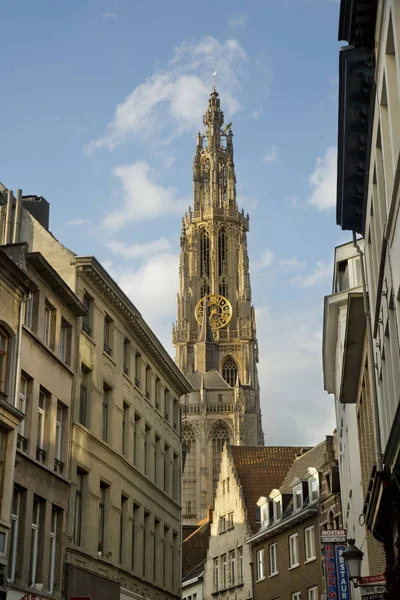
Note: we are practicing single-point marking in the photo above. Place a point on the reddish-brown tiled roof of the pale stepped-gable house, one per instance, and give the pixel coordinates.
(260, 470)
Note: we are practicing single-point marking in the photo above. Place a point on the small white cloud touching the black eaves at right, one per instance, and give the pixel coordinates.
(323, 181)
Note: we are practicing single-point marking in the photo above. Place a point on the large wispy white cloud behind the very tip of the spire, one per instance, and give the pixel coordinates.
(170, 101)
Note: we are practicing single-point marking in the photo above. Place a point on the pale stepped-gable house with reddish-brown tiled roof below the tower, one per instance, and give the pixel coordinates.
(246, 474)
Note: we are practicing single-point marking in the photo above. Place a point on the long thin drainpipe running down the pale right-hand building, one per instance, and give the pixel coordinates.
(371, 361)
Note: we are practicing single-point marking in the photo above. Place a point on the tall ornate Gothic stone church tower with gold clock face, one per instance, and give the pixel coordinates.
(215, 341)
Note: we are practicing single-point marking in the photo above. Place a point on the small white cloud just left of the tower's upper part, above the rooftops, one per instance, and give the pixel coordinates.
(142, 197)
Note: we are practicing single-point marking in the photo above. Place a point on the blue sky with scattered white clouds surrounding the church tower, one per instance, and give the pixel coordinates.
(100, 107)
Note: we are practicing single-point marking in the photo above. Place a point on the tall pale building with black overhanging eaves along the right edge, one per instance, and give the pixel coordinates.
(367, 204)
